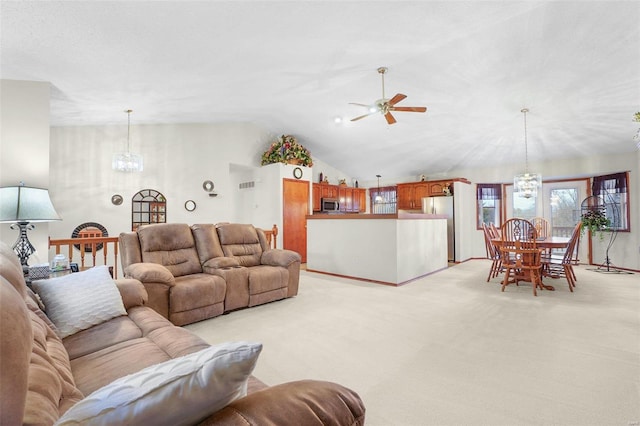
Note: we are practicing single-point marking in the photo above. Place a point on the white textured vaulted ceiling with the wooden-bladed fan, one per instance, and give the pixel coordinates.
(293, 67)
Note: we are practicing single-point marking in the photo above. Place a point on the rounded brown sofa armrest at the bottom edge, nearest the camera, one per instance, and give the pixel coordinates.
(305, 402)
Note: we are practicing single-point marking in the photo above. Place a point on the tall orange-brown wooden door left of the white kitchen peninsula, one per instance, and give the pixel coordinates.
(294, 221)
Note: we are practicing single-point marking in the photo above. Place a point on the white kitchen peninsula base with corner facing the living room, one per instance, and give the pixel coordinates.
(390, 249)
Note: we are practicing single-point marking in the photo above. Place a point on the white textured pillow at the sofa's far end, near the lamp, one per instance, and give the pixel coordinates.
(80, 300)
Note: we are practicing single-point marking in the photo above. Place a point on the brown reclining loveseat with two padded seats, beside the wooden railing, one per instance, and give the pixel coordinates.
(197, 272)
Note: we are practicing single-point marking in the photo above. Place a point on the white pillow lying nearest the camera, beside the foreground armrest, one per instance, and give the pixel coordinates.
(180, 391)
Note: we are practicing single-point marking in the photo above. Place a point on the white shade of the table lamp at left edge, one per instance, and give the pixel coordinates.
(26, 204)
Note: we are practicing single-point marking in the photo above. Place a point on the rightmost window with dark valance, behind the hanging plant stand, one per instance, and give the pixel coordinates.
(612, 192)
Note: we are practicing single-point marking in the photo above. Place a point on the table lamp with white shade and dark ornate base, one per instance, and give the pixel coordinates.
(22, 206)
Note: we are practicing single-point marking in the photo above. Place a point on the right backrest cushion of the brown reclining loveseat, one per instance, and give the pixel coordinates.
(241, 242)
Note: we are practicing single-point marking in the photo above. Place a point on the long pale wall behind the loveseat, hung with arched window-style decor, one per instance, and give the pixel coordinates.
(177, 160)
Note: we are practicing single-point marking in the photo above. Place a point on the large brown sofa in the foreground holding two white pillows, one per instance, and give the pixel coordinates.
(43, 376)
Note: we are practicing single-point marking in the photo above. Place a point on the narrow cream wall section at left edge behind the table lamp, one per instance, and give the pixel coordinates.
(24, 150)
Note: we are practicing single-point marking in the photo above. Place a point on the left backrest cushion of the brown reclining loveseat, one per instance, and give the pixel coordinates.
(171, 245)
